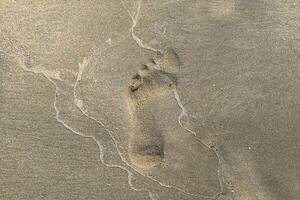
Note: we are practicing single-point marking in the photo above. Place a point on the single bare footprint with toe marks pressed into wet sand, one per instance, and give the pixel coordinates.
(154, 80)
